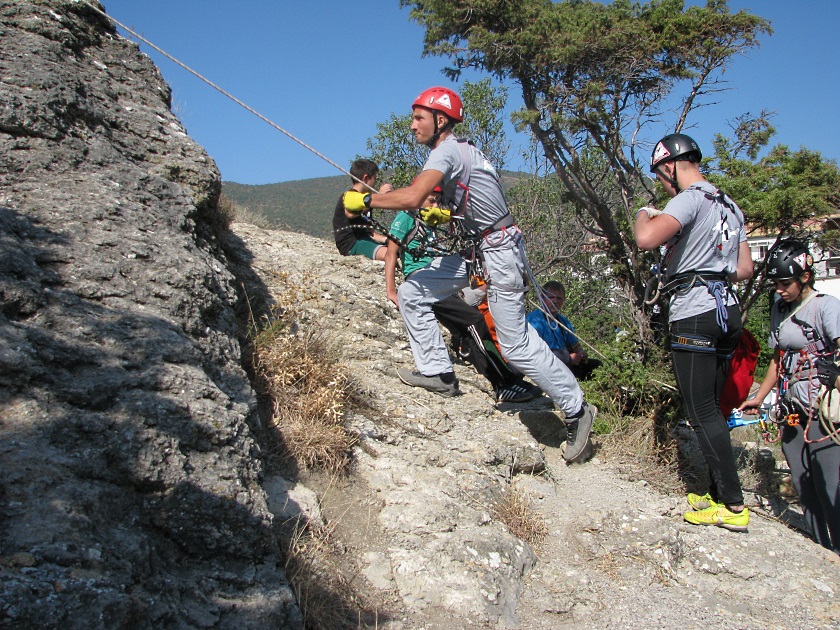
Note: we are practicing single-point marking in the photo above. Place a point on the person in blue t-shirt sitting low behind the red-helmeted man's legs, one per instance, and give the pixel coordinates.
(560, 335)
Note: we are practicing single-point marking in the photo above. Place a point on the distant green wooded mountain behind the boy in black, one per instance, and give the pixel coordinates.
(304, 205)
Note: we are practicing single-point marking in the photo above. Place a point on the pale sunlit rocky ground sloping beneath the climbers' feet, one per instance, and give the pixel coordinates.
(415, 517)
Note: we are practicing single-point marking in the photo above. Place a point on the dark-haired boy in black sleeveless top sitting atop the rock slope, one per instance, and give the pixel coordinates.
(352, 231)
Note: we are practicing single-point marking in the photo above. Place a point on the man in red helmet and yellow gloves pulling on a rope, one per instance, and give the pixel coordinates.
(472, 193)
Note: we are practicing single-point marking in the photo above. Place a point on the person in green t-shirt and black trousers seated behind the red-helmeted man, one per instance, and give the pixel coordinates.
(464, 322)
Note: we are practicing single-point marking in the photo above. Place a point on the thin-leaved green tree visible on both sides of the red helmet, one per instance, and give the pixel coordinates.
(396, 151)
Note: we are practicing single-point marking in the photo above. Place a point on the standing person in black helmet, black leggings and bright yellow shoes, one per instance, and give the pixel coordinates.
(707, 250)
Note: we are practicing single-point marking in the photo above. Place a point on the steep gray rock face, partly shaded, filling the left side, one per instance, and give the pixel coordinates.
(130, 492)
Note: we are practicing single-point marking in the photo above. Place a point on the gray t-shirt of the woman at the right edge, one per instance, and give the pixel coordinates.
(815, 327)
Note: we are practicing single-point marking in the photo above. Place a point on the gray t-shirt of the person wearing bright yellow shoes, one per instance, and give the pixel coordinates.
(708, 241)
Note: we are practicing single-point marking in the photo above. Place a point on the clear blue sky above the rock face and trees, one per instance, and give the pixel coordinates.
(328, 71)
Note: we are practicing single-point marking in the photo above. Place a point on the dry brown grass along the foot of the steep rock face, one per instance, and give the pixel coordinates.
(308, 385)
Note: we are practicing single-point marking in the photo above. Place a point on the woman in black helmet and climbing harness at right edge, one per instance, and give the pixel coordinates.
(804, 334)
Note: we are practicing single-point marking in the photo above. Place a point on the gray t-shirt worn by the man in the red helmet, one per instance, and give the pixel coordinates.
(486, 203)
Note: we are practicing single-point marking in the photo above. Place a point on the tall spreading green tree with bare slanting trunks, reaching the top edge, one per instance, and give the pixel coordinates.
(593, 77)
